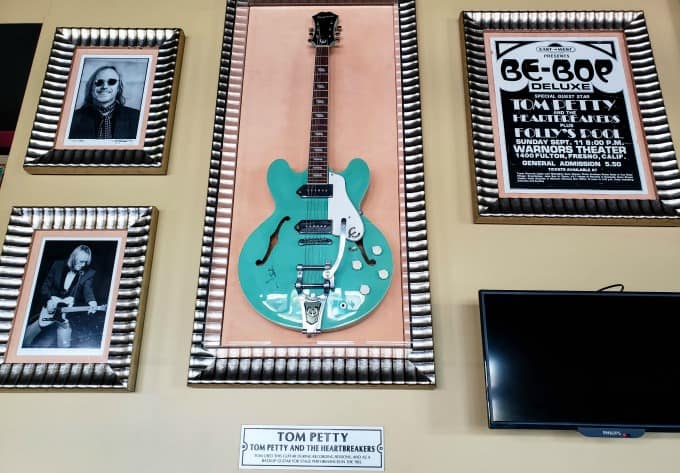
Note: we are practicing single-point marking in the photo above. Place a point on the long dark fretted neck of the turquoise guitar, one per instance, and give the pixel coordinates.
(317, 166)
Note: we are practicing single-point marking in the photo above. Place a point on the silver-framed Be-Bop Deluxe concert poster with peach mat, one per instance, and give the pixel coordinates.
(567, 120)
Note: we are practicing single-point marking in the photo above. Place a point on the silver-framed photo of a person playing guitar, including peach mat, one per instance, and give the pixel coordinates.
(74, 283)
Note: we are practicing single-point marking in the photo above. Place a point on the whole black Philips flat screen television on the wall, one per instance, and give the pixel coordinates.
(605, 363)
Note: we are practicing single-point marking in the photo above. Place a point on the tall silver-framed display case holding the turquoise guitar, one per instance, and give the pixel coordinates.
(314, 266)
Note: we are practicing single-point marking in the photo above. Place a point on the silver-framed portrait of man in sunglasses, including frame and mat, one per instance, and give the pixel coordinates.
(107, 102)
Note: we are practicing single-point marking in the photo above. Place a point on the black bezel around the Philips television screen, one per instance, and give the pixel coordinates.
(613, 430)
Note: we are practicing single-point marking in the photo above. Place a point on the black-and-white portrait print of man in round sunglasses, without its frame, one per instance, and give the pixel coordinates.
(108, 101)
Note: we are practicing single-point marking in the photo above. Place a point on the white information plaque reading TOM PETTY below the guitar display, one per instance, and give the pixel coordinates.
(273, 447)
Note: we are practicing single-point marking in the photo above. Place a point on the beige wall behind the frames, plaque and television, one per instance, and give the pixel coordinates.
(166, 427)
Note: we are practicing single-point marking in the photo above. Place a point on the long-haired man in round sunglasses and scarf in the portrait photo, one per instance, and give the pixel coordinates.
(104, 115)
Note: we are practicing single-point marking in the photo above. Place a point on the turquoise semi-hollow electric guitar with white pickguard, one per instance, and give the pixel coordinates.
(316, 263)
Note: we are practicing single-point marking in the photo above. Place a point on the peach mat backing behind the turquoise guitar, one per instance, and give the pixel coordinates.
(274, 122)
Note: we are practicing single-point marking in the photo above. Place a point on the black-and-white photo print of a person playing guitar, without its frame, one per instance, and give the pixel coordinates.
(70, 297)
